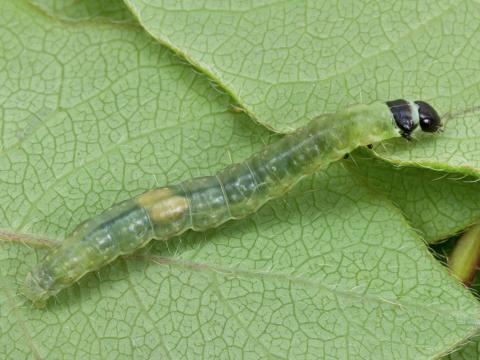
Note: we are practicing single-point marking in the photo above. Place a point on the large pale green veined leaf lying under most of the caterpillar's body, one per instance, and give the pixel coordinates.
(95, 113)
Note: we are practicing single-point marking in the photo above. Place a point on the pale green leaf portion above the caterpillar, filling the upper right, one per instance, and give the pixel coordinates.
(285, 62)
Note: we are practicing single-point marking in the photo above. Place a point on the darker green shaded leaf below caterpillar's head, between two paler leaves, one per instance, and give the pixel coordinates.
(436, 203)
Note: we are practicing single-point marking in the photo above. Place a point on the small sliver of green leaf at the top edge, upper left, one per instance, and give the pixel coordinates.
(112, 10)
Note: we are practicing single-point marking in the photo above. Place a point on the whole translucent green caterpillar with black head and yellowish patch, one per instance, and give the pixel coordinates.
(233, 193)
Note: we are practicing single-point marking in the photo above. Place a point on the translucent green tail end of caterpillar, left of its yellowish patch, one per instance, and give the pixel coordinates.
(120, 230)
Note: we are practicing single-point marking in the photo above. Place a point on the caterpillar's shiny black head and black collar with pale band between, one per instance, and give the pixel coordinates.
(408, 115)
